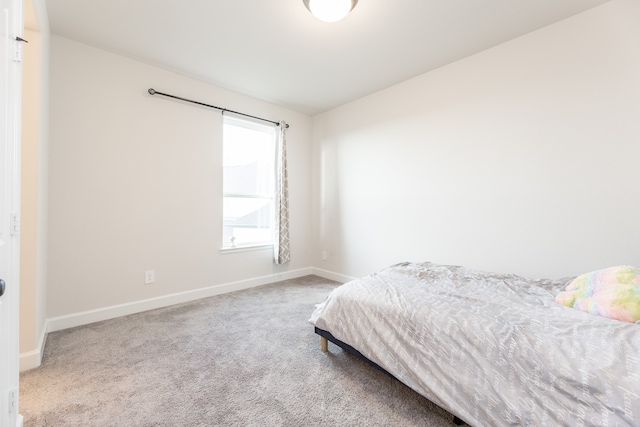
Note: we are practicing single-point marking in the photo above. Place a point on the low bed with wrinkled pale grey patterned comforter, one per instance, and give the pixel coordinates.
(492, 349)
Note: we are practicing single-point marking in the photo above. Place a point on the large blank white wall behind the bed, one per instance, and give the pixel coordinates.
(522, 159)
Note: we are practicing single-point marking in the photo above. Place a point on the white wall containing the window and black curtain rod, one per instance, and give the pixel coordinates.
(135, 183)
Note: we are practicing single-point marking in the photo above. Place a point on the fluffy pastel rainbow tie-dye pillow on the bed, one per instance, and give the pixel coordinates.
(613, 292)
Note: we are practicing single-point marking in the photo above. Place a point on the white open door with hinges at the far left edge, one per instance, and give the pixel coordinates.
(10, 96)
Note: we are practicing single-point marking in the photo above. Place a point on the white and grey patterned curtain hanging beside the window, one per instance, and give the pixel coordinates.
(281, 248)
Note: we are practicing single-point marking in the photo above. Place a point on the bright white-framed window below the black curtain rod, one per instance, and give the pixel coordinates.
(248, 183)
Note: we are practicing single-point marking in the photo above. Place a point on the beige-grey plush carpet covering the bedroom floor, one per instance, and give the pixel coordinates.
(248, 358)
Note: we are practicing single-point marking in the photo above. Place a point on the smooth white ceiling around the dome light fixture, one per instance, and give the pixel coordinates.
(277, 51)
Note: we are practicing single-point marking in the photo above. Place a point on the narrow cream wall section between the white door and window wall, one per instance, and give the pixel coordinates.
(33, 221)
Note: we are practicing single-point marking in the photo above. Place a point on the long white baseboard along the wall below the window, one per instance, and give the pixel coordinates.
(106, 313)
